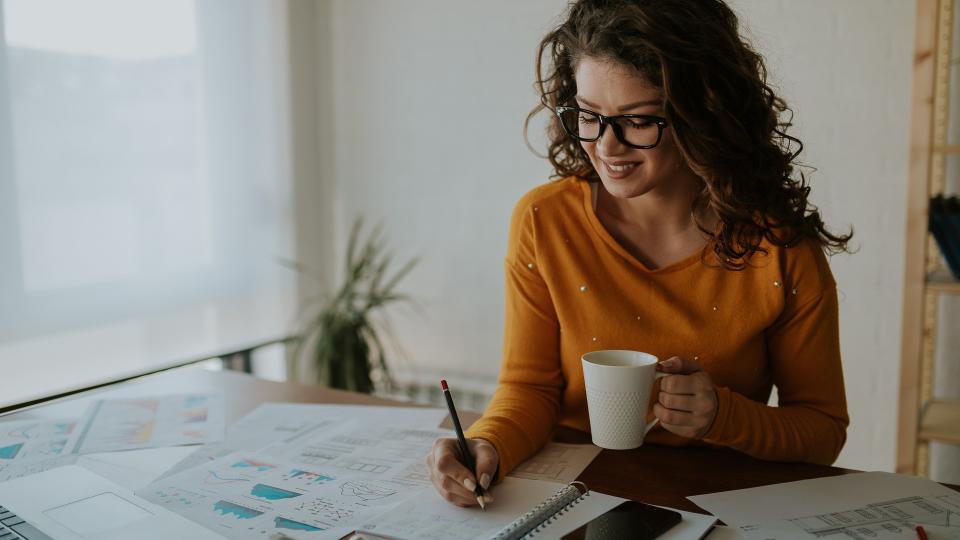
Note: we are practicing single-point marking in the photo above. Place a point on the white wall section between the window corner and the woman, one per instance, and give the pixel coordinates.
(429, 99)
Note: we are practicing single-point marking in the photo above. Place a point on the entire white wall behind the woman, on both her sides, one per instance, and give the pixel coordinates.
(429, 98)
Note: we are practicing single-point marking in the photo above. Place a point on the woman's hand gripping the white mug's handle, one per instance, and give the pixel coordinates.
(687, 404)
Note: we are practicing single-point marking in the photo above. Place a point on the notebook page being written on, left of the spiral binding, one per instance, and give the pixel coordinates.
(429, 517)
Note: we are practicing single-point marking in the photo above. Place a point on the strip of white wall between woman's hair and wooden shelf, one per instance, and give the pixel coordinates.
(846, 67)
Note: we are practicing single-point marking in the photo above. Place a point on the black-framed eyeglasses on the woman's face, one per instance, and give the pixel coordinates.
(642, 131)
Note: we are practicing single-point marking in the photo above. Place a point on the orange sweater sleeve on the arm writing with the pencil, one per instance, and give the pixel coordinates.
(523, 411)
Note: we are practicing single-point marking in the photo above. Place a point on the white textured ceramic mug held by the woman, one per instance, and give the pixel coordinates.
(619, 385)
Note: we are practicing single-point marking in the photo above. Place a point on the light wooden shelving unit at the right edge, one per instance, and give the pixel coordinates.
(922, 417)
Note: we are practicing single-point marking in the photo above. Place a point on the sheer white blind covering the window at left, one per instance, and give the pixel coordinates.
(144, 186)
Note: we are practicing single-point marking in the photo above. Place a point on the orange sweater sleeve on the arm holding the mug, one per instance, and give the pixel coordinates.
(810, 423)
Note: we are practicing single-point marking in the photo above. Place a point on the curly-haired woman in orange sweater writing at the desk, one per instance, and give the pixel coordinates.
(677, 227)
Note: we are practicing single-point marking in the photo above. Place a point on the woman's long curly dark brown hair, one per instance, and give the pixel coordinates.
(726, 119)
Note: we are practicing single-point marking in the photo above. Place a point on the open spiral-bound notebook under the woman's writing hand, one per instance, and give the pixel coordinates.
(522, 509)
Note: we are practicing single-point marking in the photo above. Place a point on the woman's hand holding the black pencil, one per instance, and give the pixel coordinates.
(453, 480)
